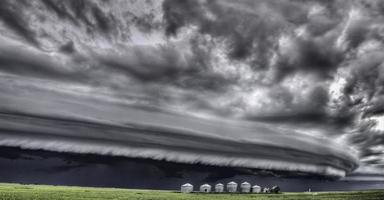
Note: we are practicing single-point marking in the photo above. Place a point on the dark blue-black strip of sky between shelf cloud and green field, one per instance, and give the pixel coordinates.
(92, 170)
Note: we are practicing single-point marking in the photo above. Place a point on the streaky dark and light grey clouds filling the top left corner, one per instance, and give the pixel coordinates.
(91, 18)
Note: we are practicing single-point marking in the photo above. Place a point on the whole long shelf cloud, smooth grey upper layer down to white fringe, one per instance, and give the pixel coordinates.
(80, 124)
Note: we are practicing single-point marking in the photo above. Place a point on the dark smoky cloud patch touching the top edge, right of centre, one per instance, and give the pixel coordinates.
(241, 29)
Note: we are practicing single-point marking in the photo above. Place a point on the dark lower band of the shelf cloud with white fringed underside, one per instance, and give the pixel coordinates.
(181, 145)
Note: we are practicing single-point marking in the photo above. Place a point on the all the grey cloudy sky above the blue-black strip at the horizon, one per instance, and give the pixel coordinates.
(290, 86)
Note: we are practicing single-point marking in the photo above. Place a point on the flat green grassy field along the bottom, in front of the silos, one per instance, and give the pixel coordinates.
(40, 192)
